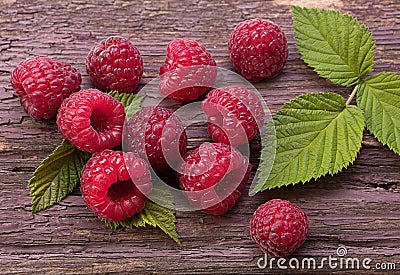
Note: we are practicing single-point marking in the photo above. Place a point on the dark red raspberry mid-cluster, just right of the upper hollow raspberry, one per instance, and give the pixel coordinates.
(157, 135)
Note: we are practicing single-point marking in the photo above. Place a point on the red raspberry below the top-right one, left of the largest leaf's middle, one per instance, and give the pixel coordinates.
(234, 115)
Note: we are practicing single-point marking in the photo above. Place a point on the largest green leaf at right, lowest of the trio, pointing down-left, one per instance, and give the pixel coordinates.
(316, 134)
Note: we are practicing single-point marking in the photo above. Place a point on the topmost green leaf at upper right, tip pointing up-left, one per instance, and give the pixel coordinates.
(334, 44)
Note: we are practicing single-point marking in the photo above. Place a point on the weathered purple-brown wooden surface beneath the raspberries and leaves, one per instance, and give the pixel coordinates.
(358, 208)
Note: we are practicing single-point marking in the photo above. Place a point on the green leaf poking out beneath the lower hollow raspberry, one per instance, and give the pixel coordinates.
(154, 215)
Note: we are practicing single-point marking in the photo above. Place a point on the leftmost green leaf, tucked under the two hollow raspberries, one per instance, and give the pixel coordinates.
(56, 176)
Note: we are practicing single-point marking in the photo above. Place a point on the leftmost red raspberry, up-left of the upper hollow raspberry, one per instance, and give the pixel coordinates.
(43, 83)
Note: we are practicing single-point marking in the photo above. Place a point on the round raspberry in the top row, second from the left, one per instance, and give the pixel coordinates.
(115, 64)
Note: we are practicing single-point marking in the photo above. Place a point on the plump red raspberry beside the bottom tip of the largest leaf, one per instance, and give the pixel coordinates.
(214, 177)
